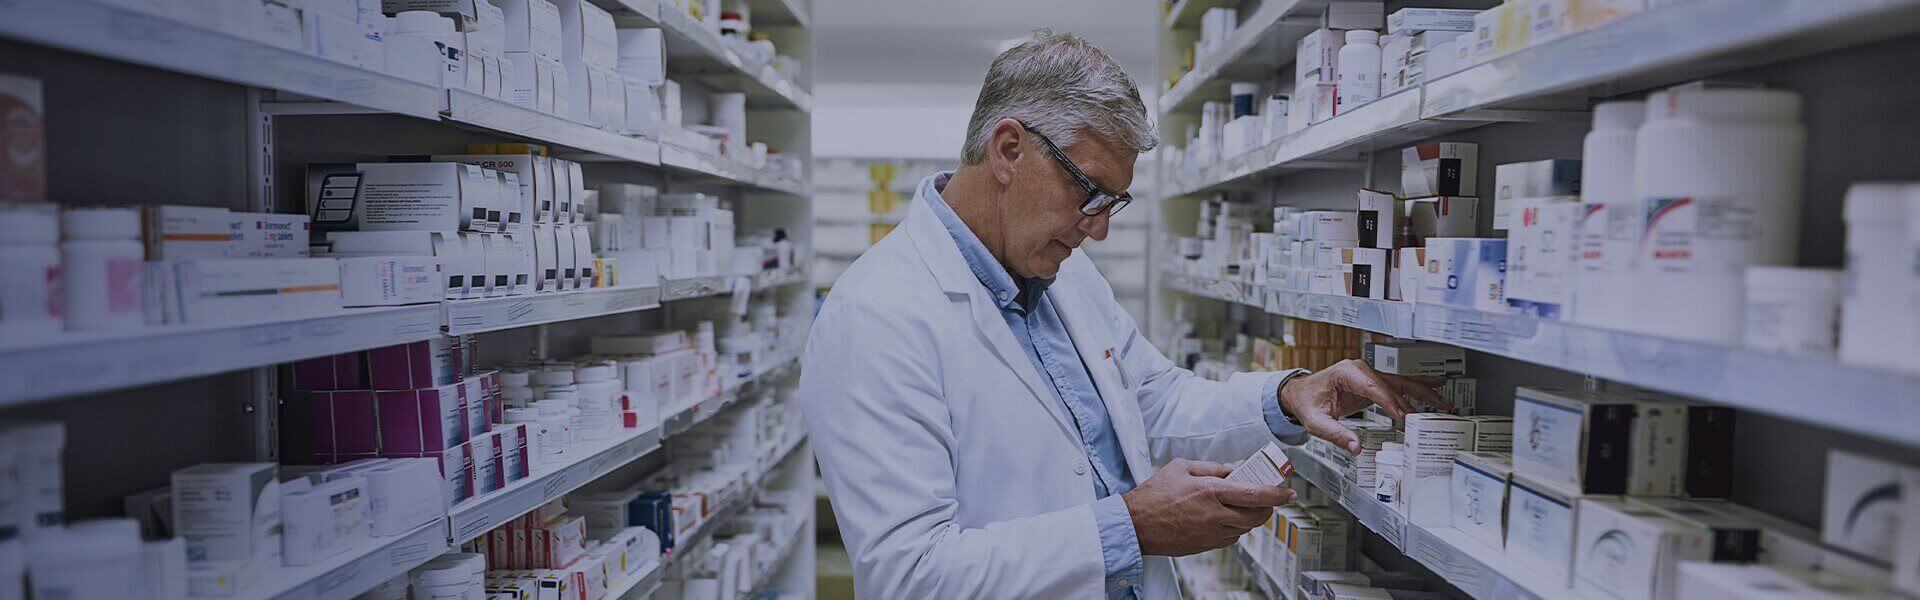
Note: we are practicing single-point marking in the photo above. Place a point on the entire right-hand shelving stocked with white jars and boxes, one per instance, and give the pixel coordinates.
(1662, 253)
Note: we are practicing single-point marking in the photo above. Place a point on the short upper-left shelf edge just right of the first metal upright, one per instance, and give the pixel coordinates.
(502, 116)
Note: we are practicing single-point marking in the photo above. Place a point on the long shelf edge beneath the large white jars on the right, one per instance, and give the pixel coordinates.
(1854, 399)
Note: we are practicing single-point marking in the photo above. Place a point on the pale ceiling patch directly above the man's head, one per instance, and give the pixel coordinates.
(921, 41)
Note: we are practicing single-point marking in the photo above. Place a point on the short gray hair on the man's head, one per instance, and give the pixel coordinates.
(1061, 86)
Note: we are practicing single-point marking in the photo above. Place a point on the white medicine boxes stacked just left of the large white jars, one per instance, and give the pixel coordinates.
(1537, 203)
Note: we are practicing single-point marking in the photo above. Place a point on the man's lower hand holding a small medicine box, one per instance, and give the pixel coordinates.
(1189, 507)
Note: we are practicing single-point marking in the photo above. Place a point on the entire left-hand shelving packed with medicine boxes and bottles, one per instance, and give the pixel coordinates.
(350, 299)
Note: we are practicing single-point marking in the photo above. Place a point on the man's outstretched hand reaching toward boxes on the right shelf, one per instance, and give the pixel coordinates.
(1322, 399)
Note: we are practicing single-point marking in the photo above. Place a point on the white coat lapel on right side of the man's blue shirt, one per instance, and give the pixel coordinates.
(1095, 347)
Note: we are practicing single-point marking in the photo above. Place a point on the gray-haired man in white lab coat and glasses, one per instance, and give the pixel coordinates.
(988, 418)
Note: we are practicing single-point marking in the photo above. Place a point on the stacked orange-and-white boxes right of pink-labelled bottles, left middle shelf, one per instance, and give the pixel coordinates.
(218, 266)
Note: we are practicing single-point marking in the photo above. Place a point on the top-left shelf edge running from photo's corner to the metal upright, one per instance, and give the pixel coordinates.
(164, 43)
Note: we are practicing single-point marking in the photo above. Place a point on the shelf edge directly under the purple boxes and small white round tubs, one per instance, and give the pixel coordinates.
(487, 512)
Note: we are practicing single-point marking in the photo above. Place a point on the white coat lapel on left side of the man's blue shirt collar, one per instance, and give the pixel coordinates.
(942, 255)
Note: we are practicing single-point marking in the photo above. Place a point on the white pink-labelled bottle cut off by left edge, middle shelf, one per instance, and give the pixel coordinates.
(30, 270)
